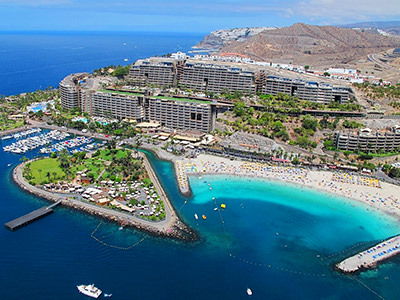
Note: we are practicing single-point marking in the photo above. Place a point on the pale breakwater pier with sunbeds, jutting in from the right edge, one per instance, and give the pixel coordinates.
(370, 257)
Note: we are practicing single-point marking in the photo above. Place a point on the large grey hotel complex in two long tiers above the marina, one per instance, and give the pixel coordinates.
(181, 112)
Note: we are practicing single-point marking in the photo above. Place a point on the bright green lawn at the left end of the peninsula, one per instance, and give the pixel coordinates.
(50, 165)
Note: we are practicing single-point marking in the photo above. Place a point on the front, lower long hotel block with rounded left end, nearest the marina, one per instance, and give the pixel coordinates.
(174, 113)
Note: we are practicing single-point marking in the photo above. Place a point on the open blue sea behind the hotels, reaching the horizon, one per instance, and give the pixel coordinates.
(36, 60)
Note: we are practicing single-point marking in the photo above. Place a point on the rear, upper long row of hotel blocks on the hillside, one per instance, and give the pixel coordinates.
(222, 77)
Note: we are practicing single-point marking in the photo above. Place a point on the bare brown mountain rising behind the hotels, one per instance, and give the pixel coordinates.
(310, 44)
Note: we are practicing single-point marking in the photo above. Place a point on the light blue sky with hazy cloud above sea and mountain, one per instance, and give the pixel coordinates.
(188, 15)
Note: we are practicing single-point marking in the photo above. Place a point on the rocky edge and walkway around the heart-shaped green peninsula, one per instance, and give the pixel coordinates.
(174, 228)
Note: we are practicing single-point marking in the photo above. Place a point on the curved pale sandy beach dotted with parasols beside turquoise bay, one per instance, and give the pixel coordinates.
(376, 194)
